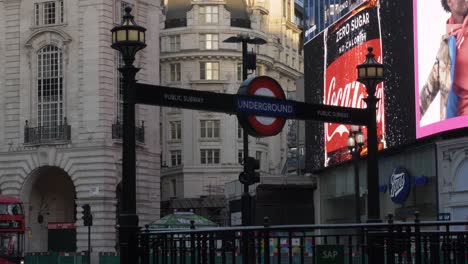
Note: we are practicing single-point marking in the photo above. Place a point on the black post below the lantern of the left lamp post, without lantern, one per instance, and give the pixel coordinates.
(128, 219)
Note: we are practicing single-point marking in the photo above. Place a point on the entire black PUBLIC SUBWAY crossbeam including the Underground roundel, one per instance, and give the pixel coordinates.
(260, 105)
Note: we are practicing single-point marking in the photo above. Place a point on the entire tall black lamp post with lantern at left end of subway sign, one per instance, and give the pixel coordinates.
(128, 39)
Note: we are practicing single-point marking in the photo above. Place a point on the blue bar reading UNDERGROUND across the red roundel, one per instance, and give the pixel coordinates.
(265, 106)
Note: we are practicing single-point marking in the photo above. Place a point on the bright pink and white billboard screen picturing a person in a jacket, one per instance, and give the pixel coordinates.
(441, 66)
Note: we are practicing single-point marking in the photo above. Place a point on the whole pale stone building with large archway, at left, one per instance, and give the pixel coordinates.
(60, 116)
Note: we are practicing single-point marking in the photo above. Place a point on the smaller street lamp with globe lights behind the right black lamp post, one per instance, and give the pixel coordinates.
(355, 141)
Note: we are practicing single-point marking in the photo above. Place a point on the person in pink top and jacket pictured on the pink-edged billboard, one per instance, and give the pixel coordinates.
(449, 74)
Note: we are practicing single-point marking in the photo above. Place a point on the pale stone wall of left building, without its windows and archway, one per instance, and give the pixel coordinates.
(92, 159)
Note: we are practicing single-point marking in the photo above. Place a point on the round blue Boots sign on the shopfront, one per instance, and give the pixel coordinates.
(399, 185)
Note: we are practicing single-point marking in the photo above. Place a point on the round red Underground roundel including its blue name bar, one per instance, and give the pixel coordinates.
(258, 93)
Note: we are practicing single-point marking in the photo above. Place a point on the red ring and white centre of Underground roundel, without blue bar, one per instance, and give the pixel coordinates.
(261, 126)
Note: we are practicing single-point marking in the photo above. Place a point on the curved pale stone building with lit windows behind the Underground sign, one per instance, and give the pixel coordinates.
(201, 151)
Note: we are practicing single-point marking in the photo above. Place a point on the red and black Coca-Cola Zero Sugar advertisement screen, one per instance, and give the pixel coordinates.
(346, 46)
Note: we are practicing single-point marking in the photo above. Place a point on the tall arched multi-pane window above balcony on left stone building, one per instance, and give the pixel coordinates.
(50, 90)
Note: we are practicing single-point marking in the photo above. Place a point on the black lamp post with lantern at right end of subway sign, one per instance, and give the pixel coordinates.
(371, 73)
